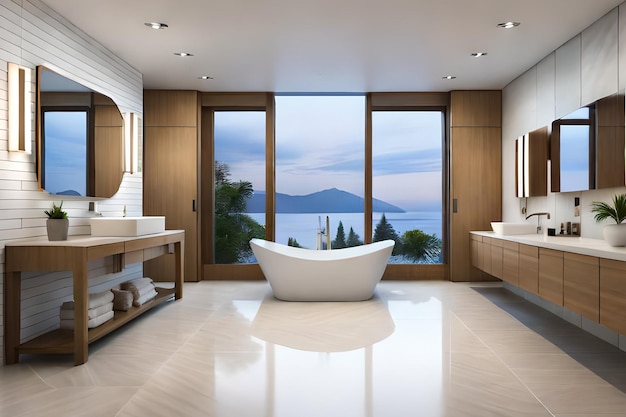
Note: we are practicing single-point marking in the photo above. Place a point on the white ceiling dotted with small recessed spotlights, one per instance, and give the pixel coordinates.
(331, 45)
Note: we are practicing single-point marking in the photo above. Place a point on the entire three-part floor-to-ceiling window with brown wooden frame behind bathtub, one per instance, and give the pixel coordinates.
(319, 170)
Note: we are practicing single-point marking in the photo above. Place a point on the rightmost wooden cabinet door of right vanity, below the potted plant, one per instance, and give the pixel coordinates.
(613, 295)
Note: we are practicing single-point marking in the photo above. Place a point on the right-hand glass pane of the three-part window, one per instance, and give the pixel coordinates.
(407, 183)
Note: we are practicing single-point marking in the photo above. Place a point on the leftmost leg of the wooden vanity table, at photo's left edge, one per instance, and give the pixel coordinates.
(12, 316)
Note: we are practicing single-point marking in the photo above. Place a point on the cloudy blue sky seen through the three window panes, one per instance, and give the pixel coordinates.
(320, 145)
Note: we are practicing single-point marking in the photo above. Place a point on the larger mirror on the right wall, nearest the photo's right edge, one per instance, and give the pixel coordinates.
(587, 147)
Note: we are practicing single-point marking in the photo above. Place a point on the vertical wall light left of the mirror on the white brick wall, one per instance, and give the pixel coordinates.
(19, 108)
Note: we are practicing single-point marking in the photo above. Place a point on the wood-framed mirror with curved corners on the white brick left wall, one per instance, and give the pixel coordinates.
(80, 138)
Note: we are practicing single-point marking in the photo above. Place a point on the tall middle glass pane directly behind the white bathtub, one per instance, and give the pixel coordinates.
(320, 161)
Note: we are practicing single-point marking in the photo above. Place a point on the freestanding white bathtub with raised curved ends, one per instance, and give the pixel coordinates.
(297, 274)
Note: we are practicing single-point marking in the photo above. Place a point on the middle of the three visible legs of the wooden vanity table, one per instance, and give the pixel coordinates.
(81, 304)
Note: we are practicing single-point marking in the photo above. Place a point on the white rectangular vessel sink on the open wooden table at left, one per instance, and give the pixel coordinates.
(127, 226)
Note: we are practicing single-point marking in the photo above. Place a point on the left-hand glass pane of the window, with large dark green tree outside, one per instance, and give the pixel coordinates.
(239, 196)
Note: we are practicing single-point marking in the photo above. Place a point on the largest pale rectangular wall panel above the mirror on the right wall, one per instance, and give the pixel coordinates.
(599, 60)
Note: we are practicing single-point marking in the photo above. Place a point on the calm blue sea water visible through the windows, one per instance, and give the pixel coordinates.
(304, 226)
